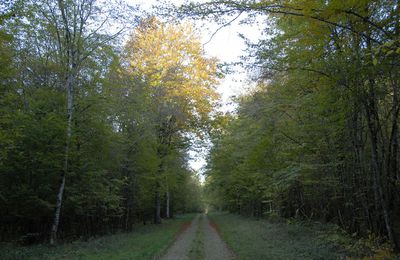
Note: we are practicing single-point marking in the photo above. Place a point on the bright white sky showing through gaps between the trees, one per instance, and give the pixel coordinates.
(227, 46)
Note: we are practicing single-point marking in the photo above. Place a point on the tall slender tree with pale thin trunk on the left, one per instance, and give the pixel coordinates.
(75, 42)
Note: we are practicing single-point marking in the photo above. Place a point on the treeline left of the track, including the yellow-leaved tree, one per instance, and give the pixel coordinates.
(94, 134)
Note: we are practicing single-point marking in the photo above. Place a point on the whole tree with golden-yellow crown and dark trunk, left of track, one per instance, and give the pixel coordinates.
(168, 59)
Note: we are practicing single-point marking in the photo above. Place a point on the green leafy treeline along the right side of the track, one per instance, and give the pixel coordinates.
(319, 136)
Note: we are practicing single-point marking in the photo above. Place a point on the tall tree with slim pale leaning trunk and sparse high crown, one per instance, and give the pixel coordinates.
(73, 31)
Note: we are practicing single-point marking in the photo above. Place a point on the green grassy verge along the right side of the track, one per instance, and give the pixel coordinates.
(260, 239)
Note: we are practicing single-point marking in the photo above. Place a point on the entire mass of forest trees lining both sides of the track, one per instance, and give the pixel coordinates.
(100, 104)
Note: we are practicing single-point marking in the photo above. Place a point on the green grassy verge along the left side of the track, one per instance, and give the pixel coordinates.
(146, 242)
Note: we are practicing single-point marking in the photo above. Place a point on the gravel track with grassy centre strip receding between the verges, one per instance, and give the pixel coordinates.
(199, 240)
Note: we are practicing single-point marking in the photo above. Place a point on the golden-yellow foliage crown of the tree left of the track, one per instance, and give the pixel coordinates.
(169, 59)
